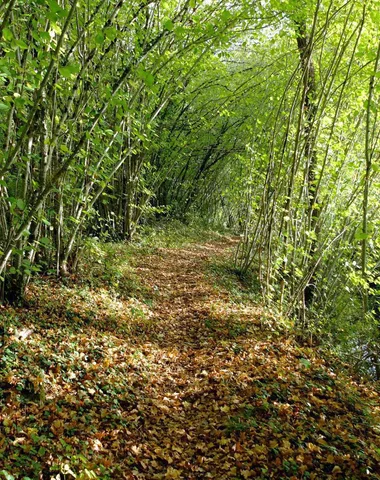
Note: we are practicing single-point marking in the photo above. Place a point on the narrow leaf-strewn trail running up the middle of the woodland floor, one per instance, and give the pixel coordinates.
(195, 367)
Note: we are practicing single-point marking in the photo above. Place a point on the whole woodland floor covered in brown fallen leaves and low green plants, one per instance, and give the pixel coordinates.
(177, 375)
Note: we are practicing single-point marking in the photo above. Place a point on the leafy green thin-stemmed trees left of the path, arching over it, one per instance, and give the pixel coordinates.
(84, 101)
